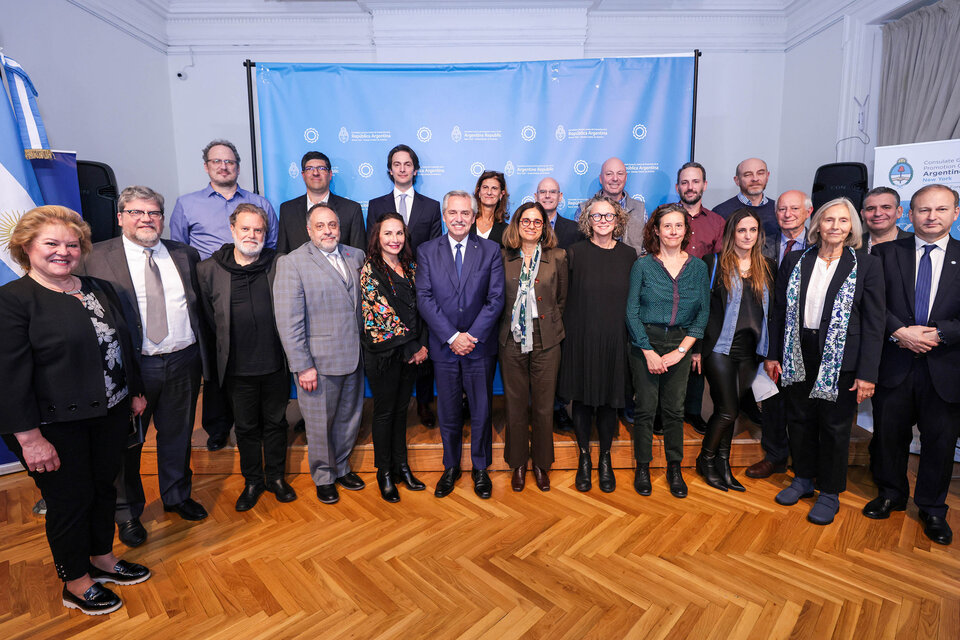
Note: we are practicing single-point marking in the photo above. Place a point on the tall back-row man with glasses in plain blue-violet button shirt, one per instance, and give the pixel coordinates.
(202, 218)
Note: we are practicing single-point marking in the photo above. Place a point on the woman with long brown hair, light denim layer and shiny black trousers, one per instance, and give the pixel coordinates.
(735, 340)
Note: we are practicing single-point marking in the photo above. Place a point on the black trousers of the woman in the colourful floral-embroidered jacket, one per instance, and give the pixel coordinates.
(391, 382)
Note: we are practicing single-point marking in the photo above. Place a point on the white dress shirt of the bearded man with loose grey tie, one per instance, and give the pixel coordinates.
(179, 332)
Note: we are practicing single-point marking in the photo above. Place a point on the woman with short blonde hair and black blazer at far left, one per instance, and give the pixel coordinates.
(70, 383)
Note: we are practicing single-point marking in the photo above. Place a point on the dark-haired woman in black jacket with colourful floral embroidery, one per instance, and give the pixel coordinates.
(394, 340)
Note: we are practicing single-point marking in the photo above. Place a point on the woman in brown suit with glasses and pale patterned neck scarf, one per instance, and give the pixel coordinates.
(530, 334)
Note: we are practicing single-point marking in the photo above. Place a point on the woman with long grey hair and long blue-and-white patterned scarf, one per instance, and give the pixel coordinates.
(826, 332)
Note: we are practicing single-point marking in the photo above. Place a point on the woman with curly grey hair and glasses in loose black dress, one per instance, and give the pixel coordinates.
(594, 367)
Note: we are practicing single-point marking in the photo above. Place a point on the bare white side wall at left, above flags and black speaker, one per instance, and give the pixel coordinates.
(102, 93)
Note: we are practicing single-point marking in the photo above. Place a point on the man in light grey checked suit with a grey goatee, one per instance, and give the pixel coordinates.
(317, 308)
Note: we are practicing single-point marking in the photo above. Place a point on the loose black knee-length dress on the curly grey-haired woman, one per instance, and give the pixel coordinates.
(594, 367)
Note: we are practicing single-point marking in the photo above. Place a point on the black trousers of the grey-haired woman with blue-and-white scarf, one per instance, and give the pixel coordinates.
(819, 430)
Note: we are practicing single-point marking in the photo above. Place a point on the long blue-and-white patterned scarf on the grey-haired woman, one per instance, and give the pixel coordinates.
(825, 387)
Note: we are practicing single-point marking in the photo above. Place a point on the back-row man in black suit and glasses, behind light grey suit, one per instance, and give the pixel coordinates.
(316, 171)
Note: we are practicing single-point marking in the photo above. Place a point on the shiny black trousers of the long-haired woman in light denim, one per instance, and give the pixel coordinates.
(730, 377)
